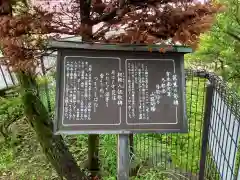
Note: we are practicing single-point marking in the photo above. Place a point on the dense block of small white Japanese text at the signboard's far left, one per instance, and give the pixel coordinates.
(78, 101)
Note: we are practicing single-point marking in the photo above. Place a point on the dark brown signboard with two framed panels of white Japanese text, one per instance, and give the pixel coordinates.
(100, 91)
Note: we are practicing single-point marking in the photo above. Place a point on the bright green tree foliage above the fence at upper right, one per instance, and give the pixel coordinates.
(219, 48)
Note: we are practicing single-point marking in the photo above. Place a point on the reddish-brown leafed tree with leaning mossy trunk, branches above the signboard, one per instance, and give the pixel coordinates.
(25, 29)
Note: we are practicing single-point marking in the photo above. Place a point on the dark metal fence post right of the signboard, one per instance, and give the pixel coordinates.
(206, 124)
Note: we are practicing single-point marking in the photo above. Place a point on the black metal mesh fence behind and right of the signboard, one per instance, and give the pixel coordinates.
(209, 151)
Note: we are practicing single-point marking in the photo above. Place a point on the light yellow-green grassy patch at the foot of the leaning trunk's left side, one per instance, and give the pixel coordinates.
(24, 160)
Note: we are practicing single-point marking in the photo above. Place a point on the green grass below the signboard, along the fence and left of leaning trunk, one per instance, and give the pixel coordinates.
(163, 156)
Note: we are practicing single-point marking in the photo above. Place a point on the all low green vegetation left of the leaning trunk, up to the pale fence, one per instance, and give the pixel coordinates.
(21, 156)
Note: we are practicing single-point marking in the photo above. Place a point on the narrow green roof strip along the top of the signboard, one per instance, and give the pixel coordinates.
(117, 47)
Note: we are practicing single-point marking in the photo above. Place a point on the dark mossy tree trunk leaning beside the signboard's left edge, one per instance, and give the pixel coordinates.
(53, 145)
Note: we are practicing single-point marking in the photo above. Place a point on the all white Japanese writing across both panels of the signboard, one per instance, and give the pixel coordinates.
(86, 90)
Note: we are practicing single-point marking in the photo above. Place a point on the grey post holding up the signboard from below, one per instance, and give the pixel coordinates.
(123, 157)
